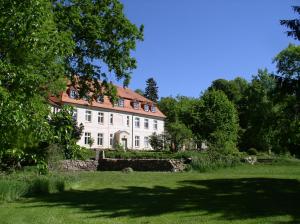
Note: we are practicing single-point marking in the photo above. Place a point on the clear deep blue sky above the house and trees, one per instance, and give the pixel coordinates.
(189, 43)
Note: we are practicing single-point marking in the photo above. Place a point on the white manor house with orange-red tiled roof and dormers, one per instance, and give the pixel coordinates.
(129, 123)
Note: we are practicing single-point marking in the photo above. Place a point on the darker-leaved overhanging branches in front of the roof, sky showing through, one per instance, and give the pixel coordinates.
(103, 40)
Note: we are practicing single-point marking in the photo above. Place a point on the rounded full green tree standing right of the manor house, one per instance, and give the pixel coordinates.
(215, 121)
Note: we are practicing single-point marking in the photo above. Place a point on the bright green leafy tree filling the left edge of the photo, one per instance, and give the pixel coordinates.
(32, 51)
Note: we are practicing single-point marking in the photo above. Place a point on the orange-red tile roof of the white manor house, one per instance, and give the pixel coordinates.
(125, 93)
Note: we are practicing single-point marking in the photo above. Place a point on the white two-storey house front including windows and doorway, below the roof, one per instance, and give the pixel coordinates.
(109, 127)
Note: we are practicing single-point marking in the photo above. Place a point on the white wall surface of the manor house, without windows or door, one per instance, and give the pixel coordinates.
(119, 127)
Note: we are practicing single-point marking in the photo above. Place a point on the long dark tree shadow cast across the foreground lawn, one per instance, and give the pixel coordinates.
(234, 199)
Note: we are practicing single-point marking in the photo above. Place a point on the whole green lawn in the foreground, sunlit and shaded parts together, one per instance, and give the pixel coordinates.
(245, 194)
